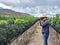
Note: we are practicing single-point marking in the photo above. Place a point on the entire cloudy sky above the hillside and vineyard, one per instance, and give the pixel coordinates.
(33, 7)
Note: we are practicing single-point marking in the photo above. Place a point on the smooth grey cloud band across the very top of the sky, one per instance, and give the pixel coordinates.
(30, 3)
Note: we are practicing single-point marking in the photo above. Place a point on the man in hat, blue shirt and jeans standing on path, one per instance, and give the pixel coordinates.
(45, 28)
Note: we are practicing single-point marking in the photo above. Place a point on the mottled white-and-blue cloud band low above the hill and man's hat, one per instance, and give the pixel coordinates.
(38, 10)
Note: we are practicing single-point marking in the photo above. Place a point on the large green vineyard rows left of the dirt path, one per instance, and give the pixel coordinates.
(12, 26)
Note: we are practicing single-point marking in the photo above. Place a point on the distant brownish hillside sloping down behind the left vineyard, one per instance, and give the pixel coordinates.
(11, 12)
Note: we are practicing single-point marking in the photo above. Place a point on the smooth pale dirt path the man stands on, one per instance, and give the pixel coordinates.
(37, 38)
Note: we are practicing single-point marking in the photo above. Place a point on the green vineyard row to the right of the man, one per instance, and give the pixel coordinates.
(55, 22)
